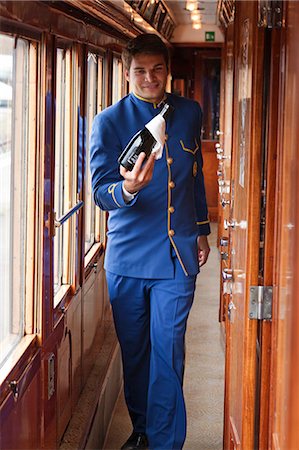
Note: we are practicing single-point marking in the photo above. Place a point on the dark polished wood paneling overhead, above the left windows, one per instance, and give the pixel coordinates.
(81, 24)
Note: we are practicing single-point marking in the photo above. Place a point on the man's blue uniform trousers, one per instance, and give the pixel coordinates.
(150, 318)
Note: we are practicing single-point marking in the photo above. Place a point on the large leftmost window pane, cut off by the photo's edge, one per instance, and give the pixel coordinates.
(17, 152)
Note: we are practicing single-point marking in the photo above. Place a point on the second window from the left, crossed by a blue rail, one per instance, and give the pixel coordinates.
(65, 176)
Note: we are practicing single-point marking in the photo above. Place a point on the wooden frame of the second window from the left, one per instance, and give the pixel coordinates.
(70, 245)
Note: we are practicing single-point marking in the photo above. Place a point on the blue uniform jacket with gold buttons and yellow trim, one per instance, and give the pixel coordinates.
(169, 213)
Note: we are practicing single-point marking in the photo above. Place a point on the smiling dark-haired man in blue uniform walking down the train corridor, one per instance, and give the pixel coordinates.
(157, 239)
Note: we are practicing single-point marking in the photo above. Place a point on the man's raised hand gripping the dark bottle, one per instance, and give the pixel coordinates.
(140, 176)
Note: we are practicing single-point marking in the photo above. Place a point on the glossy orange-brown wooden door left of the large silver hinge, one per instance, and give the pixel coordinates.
(244, 228)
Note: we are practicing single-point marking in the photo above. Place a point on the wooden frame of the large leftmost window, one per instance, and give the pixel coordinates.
(27, 346)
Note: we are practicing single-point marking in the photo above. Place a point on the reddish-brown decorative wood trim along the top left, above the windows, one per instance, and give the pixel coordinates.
(64, 20)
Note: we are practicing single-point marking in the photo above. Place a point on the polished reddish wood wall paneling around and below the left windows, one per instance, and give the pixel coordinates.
(70, 335)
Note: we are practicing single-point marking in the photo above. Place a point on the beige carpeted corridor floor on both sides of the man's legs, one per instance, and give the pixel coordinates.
(204, 373)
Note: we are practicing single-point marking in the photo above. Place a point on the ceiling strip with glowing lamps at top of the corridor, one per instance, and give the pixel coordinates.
(207, 9)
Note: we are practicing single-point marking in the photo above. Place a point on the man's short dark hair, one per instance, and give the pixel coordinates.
(147, 43)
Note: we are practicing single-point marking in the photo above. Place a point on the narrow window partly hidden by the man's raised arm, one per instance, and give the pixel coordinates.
(94, 218)
